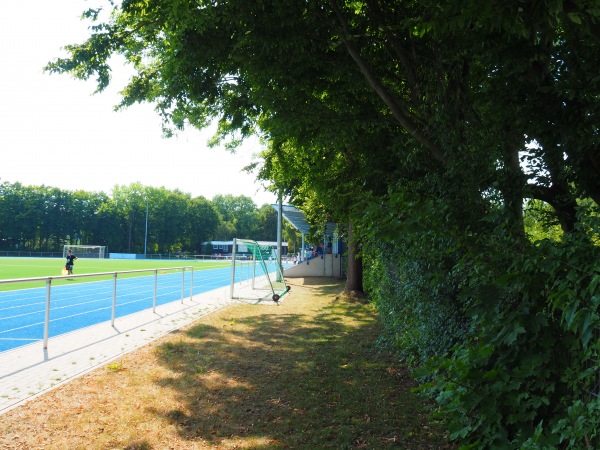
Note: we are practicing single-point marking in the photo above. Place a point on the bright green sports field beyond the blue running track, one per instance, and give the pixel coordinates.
(13, 268)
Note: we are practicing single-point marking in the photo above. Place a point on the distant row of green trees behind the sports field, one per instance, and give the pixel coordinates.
(43, 219)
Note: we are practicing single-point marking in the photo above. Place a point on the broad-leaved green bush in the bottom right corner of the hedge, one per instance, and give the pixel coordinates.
(526, 376)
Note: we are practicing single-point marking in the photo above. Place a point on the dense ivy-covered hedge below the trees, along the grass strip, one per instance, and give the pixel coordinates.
(507, 345)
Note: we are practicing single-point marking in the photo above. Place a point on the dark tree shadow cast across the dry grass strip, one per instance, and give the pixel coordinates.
(290, 378)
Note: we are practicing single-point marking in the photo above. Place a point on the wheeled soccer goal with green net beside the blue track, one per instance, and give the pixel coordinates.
(255, 272)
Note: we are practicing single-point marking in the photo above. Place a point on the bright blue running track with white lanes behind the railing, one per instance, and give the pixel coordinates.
(84, 304)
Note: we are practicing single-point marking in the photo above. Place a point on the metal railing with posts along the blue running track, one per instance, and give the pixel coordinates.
(114, 275)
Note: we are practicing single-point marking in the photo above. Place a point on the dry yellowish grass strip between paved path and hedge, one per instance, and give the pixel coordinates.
(305, 375)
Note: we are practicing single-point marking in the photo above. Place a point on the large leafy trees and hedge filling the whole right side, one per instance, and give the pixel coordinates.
(458, 141)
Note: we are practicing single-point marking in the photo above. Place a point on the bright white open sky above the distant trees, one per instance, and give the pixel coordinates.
(55, 132)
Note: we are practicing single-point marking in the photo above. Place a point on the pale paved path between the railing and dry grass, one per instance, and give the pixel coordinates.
(29, 371)
